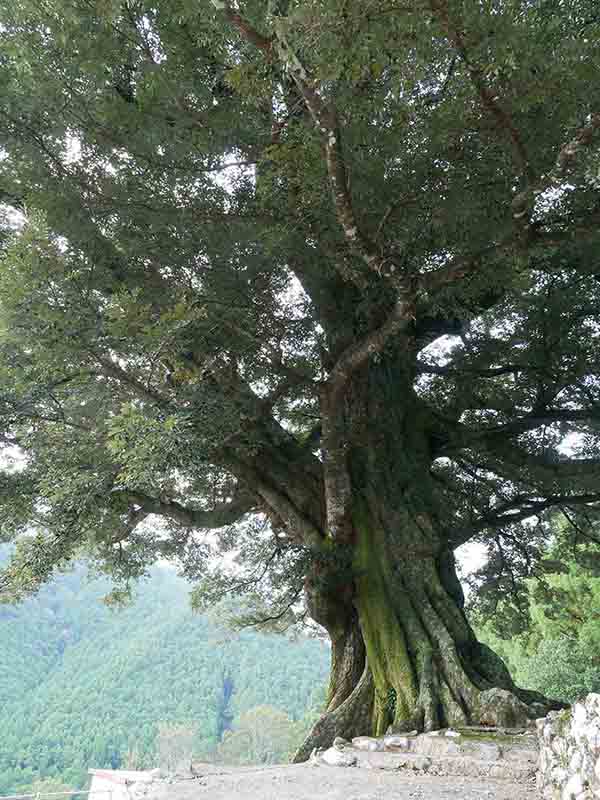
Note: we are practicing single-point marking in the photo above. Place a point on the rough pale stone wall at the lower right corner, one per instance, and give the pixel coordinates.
(569, 766)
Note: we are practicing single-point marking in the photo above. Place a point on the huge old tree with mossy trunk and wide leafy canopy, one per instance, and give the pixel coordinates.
(332, 265)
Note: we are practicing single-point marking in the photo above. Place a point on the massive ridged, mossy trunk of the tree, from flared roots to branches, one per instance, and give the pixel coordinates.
(404, 656)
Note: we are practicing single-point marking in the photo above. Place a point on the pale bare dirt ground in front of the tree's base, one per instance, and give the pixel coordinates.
(306, 782)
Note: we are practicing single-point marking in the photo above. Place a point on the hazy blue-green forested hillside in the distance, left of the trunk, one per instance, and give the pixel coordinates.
(83, 686)
